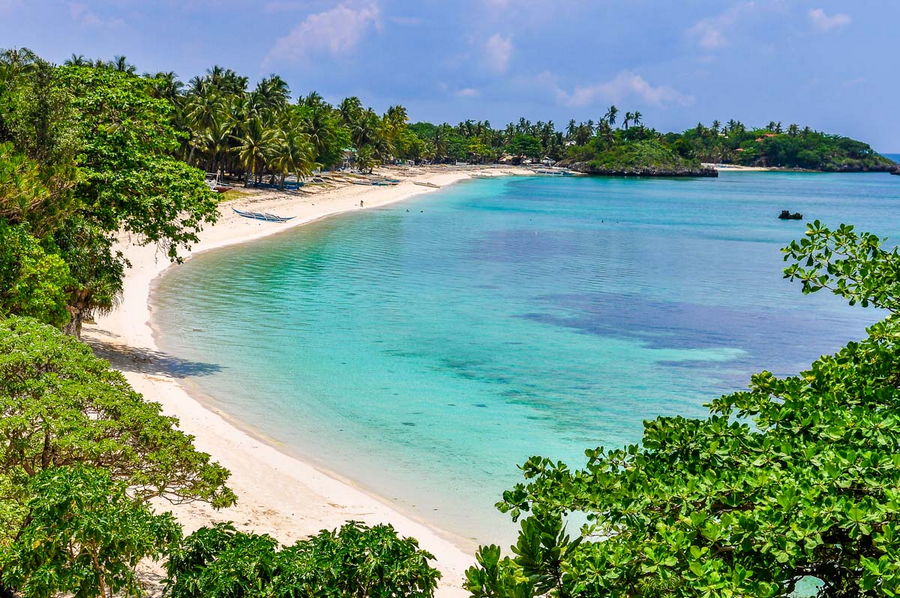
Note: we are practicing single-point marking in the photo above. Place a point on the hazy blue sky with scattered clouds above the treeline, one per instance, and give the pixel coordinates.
(828, 64)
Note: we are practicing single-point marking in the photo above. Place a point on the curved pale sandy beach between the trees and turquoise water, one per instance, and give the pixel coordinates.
(277, 494)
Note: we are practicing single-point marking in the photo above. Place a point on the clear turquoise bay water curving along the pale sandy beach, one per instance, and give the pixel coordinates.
(427, 348)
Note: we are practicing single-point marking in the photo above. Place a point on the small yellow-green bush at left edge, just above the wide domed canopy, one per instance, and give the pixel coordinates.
(33, 281)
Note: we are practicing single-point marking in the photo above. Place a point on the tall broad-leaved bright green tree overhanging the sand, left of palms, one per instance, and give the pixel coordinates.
(130, 181)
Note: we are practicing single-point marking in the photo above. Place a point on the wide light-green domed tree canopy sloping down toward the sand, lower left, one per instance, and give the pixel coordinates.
(60, 406)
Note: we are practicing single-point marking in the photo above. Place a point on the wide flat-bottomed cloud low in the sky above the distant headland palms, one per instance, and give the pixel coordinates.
(624, 86)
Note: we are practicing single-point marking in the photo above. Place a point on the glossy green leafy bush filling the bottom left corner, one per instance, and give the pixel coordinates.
(84, 536)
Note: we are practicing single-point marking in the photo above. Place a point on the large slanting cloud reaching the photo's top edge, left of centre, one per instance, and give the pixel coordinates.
(335, 32)
